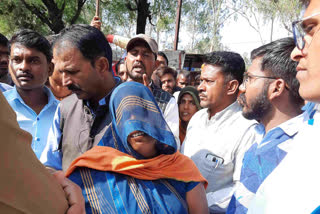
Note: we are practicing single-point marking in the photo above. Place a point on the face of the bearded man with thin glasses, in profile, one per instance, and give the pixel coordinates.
(254, 94)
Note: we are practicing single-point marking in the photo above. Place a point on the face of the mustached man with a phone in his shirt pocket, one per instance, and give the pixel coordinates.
(212, 88)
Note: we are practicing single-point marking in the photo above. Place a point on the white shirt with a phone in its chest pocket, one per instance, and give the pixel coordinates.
(223, 138)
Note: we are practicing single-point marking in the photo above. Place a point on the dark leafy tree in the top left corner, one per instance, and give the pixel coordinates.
(55, 14)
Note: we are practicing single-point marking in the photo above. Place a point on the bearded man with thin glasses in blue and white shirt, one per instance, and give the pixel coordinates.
(269, 94)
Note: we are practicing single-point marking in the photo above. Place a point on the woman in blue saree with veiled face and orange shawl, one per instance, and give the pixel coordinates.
(136, 167)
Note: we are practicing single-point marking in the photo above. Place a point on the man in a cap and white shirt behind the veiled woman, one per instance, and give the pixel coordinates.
(141, 61)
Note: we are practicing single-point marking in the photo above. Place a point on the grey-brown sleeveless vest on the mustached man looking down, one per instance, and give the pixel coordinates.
(81, 130)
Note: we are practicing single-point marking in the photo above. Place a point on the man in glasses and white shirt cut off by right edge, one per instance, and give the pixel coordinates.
(294, 185)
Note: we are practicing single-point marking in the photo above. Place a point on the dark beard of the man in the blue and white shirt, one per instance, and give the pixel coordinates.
(258, 108)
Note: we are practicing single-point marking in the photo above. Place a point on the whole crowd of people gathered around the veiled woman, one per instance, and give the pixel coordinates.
(80, 137)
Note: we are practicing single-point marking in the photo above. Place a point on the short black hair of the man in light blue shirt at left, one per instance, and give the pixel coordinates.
(32, 39)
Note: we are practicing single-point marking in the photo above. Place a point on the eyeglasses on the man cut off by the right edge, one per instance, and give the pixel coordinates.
(299, 31)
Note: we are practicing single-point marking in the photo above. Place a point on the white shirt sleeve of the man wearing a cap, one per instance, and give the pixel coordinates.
(171, 116)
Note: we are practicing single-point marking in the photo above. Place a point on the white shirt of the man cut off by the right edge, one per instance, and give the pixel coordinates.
(294, 186)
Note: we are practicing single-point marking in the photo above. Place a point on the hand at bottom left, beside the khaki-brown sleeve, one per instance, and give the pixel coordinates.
(73, 194)
